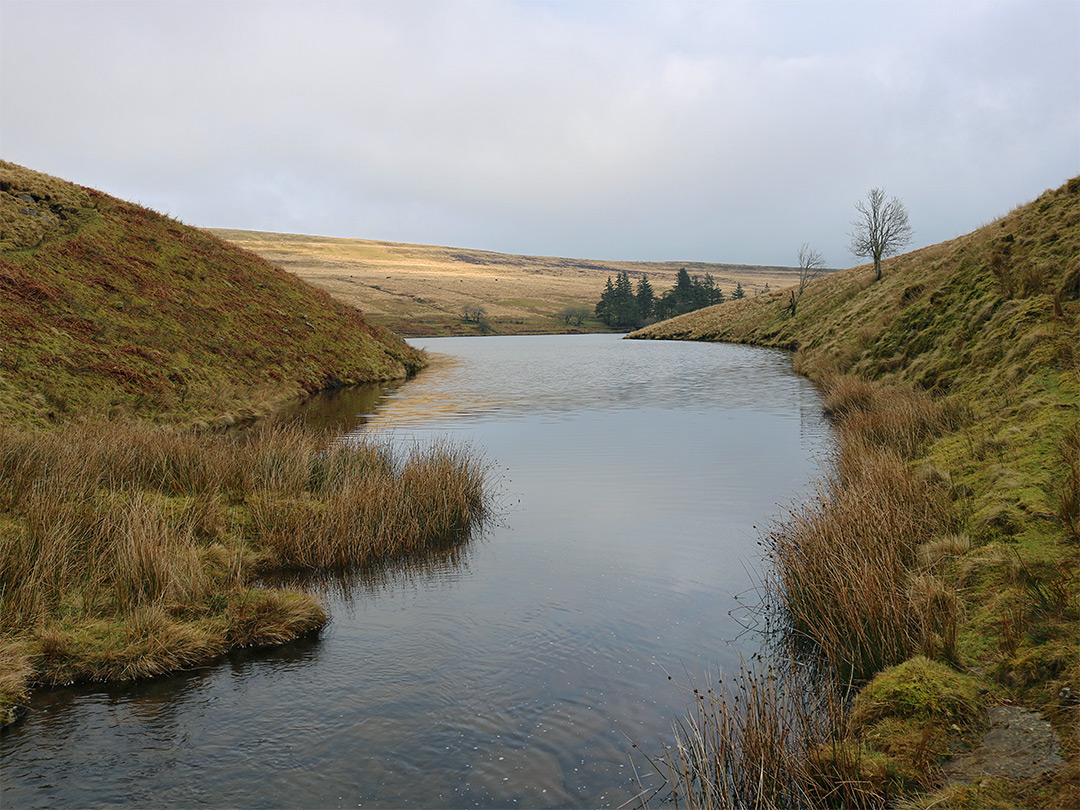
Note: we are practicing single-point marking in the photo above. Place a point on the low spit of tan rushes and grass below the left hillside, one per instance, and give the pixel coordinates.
(129, 550)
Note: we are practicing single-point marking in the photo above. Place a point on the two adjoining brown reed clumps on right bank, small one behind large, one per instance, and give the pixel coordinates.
(847, 566)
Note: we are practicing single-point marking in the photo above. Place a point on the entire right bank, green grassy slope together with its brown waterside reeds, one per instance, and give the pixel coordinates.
(949, 531)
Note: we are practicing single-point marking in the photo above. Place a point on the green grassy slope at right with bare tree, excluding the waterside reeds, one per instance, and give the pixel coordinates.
(990, 322)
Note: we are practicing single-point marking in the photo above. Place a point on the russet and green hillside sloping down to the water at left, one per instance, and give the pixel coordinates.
(106, 306)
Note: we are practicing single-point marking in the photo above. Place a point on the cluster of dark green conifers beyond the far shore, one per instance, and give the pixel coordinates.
(627, 306)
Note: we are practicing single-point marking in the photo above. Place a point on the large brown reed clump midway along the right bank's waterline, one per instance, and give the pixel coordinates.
(847, 570)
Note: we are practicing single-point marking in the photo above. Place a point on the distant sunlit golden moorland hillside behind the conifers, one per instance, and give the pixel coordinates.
(422, 290)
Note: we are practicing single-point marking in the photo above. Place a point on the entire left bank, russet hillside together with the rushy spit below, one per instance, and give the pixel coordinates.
(136, 534)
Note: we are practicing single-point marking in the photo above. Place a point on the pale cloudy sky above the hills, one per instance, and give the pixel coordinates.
(668, 130)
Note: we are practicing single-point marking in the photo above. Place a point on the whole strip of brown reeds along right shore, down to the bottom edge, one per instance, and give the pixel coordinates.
(856, 579)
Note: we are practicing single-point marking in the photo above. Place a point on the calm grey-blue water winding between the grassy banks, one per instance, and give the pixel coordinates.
(514, 672)
